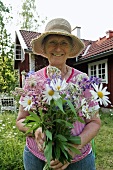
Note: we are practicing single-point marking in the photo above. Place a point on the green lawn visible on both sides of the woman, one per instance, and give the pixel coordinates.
(12, 143)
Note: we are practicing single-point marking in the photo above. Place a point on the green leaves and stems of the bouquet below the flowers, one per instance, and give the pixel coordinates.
(56, 122)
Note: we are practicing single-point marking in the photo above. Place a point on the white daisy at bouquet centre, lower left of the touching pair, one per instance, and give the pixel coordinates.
(50, 94)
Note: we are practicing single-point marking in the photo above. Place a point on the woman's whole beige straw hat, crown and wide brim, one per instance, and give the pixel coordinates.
(57, 26)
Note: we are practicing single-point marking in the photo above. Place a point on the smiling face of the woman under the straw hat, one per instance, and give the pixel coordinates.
(57, 49)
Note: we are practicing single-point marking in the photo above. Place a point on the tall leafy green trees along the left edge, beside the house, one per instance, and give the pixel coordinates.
(8, 78)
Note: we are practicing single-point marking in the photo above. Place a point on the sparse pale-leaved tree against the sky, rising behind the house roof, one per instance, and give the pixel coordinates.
(30, 20)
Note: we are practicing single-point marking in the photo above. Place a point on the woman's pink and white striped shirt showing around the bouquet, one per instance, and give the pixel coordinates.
(78, 127)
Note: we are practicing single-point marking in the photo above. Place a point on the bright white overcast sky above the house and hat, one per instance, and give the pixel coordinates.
(95, 17)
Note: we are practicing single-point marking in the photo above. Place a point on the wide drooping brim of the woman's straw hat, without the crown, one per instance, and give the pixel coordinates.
(77, 47)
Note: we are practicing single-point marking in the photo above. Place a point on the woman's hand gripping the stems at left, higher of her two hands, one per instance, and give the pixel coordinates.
(40, 137)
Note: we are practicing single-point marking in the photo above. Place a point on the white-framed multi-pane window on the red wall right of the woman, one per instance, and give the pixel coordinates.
(99, 69)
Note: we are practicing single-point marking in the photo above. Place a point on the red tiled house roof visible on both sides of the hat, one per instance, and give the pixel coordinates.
(92, 48)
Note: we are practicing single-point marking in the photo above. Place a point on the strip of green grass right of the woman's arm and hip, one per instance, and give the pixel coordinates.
(103, 143)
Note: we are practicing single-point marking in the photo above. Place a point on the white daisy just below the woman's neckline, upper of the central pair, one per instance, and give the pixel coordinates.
(58, 84)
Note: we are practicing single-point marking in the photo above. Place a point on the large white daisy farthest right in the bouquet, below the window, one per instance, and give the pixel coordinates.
(100, 94)
